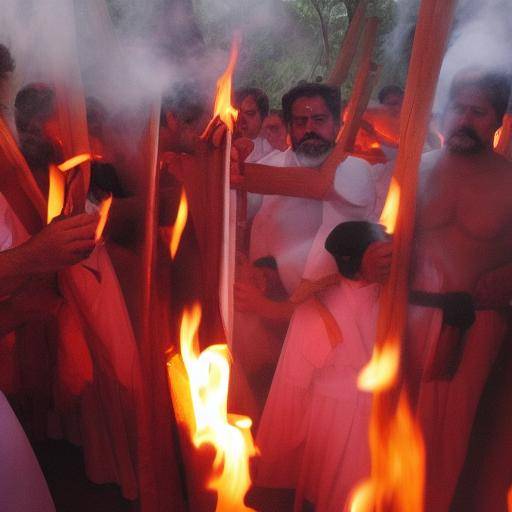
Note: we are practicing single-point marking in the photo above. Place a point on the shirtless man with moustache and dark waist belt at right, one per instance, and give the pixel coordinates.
(463, 245)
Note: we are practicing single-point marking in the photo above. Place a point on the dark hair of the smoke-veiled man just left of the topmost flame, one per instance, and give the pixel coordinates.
(185, 101)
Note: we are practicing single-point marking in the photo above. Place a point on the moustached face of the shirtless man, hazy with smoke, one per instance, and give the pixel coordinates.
(469, 122)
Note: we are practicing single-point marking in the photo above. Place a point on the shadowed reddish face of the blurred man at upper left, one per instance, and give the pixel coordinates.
(40, 140)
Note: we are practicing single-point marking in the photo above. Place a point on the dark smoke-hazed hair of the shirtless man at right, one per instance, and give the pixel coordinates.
(495, 85)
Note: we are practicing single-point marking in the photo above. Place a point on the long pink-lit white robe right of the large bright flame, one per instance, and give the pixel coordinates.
(313, 432)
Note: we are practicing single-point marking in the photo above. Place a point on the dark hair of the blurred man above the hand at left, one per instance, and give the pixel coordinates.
(33, 99)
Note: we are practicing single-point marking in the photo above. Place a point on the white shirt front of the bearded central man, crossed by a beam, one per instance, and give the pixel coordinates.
(285, 227)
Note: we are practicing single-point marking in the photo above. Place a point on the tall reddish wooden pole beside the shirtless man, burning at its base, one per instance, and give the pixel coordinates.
(432, 30)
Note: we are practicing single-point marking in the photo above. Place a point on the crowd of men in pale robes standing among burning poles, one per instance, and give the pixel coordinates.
(310, 269)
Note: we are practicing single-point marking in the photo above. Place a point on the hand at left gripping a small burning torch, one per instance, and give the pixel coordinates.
(62, 243)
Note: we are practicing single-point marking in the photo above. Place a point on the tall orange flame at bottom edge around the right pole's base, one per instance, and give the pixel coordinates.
(398, 466)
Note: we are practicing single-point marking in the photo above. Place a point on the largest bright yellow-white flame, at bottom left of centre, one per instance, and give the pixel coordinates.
(208, 376)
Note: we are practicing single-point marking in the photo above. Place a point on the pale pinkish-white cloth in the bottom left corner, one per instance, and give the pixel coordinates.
(22, 484)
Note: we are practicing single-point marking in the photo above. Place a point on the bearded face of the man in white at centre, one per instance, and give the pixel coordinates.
(313, 128)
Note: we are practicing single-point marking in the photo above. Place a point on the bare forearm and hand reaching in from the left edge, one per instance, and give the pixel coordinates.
(60, 244)
